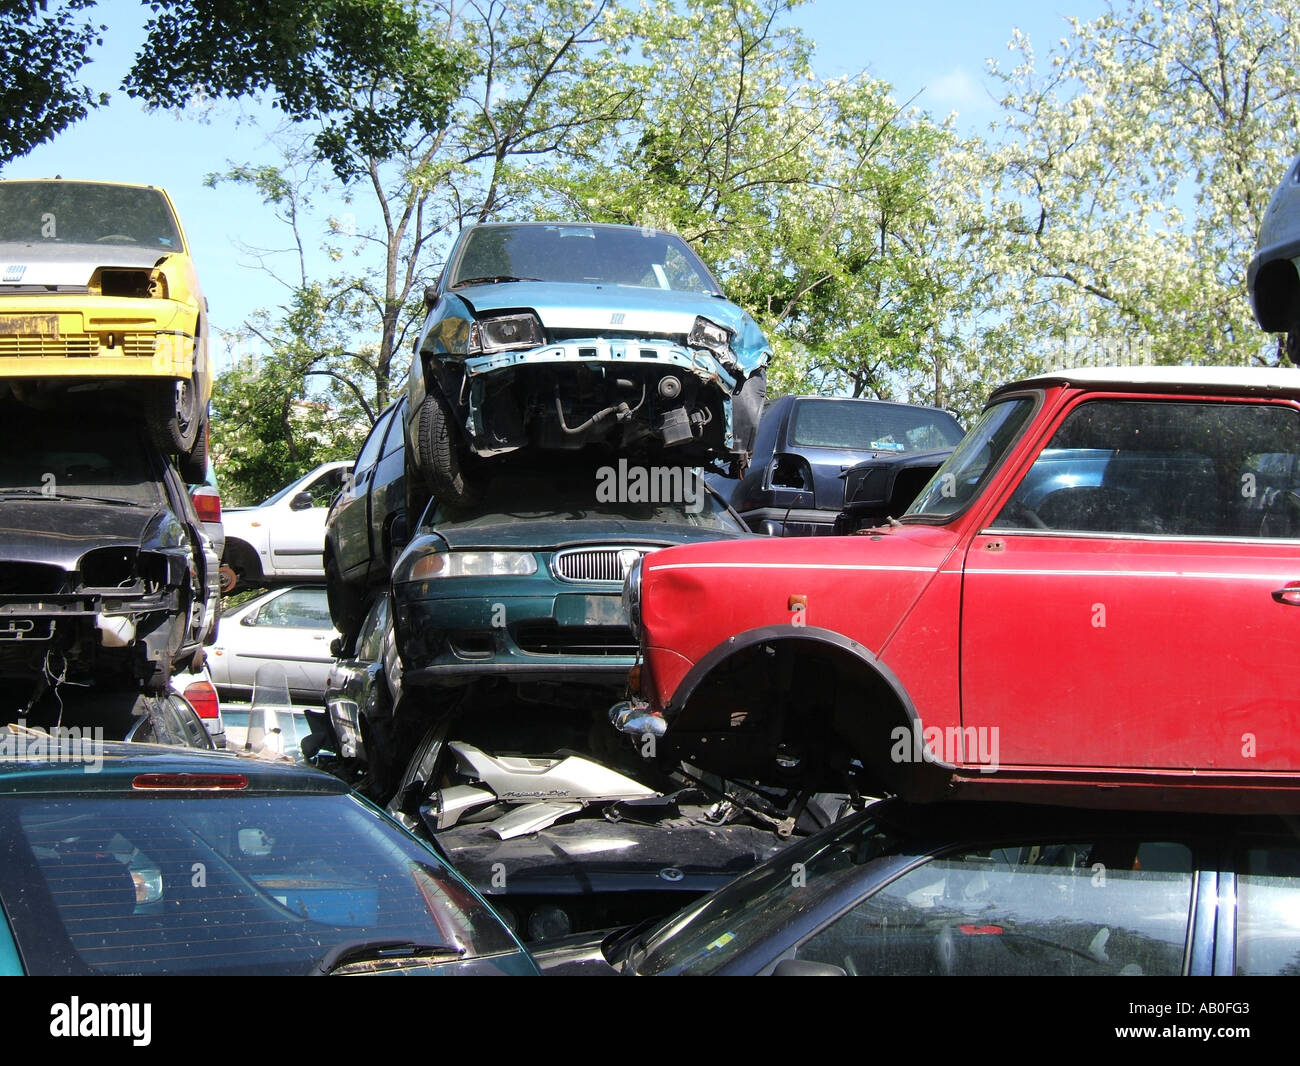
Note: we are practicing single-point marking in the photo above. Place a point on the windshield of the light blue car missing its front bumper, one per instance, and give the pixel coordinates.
(588, 255)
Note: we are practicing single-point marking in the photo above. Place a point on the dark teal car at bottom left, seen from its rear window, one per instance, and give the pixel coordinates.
(144, 860)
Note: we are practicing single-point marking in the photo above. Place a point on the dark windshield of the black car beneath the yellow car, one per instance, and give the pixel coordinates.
(63, 460)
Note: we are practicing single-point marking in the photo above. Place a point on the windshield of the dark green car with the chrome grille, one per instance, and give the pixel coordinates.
(601, 496)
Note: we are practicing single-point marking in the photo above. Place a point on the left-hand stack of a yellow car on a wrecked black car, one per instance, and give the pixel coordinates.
(109, 583)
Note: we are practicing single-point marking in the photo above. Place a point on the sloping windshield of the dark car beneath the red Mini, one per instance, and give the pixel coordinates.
(743, 913)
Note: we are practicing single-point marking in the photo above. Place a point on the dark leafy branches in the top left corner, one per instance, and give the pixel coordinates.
(44, 49)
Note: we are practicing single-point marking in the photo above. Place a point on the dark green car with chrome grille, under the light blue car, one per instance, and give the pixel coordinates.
(526, 586)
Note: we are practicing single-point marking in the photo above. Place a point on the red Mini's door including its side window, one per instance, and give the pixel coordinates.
(1124, 606)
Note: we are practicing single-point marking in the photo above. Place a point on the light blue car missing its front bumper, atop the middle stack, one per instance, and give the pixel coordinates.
(561, 336)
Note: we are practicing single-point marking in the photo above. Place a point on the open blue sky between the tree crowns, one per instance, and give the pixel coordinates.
(938, 49)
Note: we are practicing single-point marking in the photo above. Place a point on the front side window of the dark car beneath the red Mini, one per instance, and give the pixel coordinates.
(1111, 907)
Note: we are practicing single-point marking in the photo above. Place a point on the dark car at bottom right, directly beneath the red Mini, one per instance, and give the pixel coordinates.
(989, 890)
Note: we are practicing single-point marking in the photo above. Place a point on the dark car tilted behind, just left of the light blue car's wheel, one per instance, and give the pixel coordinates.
(369, 522)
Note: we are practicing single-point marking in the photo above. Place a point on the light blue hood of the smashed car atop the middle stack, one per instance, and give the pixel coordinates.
(600, 309)
